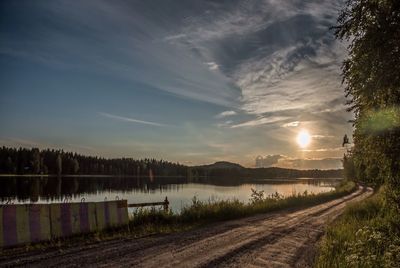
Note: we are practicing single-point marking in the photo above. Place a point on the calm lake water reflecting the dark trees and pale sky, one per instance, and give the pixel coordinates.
(180, 191)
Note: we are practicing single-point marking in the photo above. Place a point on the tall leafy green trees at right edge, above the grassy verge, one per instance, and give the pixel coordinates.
(371, 74)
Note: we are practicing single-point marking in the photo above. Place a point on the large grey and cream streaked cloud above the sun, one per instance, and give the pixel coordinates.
(283, 58)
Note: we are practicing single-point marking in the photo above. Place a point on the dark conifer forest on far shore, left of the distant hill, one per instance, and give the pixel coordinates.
(57, 162)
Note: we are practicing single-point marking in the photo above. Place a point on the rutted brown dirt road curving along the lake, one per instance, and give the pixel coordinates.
(283, 239)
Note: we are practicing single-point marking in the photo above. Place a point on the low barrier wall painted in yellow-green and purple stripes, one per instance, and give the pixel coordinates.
(23, 224)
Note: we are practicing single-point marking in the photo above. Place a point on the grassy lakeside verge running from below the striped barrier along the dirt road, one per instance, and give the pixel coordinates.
(156, 223)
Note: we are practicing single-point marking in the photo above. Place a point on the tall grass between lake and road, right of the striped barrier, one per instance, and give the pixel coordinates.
(200, 212)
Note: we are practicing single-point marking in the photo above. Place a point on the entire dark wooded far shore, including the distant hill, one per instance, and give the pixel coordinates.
(23, 161)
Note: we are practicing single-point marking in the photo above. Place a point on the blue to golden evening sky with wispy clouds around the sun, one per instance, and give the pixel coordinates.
(182, 80)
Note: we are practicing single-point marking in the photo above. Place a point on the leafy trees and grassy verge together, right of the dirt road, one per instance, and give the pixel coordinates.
(368, 233)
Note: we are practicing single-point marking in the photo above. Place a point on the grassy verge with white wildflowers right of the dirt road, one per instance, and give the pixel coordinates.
(367, 234)
